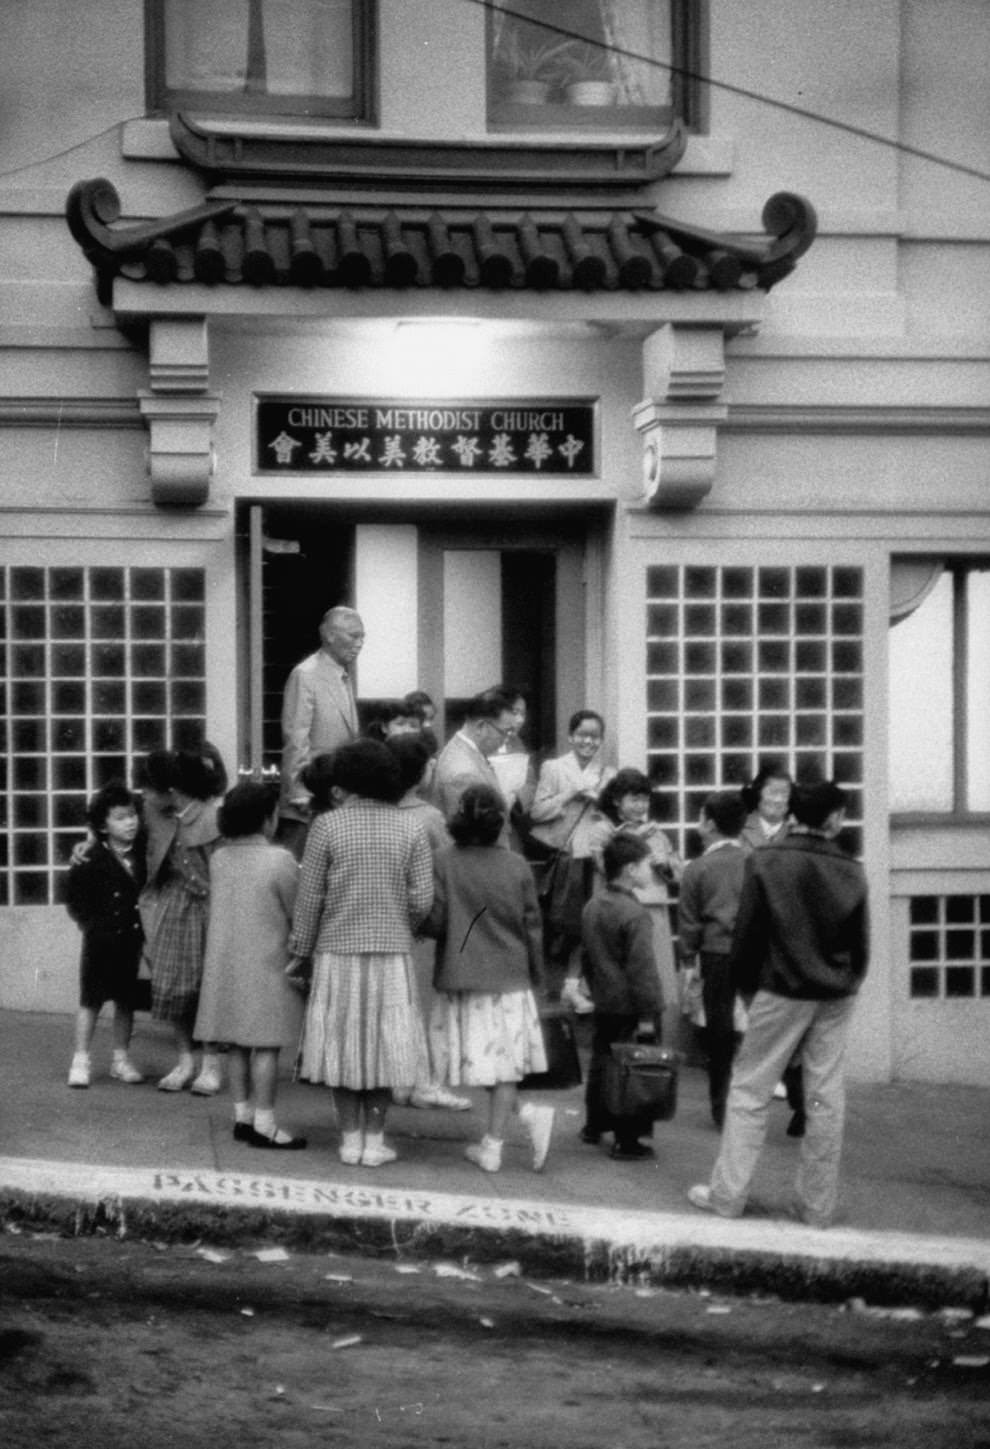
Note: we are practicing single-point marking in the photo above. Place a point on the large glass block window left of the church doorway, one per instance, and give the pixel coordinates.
(98, 667)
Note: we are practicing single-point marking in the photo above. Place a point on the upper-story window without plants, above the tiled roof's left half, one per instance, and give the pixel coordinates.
(267, 57)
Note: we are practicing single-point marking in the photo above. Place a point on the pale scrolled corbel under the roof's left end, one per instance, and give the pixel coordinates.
(180, 414)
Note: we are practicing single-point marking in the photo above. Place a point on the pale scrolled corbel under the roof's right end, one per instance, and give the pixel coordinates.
(681, 417)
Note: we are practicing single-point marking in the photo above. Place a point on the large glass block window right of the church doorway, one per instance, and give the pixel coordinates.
(747, 666)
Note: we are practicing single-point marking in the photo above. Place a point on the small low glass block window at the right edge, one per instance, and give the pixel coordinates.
(950, 947)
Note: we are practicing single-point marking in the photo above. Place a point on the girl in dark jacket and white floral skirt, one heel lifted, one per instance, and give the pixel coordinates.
(485, 1028)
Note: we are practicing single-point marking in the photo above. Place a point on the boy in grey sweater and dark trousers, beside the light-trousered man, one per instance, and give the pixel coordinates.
(707, 914)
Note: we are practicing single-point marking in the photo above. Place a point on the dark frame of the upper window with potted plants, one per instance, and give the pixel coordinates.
(689, 92)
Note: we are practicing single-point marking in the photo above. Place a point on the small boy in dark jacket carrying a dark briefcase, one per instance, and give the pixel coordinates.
(621, 972)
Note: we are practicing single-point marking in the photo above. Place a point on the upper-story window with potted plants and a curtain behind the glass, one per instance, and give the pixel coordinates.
(594, 63)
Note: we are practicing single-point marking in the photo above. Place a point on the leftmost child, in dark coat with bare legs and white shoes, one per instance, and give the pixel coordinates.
(102, 901)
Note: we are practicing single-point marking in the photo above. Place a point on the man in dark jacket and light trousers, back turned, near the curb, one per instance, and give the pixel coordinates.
(801, 951)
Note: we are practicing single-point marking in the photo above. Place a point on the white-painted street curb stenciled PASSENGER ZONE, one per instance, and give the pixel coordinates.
(549, 1240)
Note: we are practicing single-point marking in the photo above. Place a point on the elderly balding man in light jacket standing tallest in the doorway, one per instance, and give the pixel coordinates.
(320, 714)
